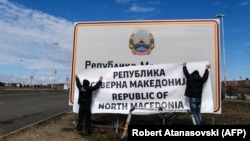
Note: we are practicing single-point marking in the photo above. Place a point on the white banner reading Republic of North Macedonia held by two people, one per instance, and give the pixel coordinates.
(150, 89)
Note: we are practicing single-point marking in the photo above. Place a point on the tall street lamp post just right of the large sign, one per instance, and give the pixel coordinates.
(221, 16)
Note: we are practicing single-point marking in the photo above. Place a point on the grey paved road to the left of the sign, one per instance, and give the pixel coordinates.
(25, 108)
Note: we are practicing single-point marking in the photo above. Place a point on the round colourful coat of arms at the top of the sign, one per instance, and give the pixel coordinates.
(141, 42)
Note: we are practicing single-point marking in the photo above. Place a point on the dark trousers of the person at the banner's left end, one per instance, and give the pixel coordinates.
(84, 114)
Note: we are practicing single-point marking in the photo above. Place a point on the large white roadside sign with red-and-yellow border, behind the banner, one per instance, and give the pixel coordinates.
(111, 45)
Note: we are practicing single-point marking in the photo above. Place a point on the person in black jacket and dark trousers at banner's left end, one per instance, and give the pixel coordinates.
(84, 101)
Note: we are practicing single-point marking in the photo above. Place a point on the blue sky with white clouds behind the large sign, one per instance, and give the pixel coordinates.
(36, 35)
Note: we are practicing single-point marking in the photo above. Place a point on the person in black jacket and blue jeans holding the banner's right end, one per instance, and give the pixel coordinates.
(194, 87)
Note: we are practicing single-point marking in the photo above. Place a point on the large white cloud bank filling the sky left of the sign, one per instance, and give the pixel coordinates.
(29, 35)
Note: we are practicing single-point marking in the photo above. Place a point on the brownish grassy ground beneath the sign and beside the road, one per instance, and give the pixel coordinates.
(61, 128)
